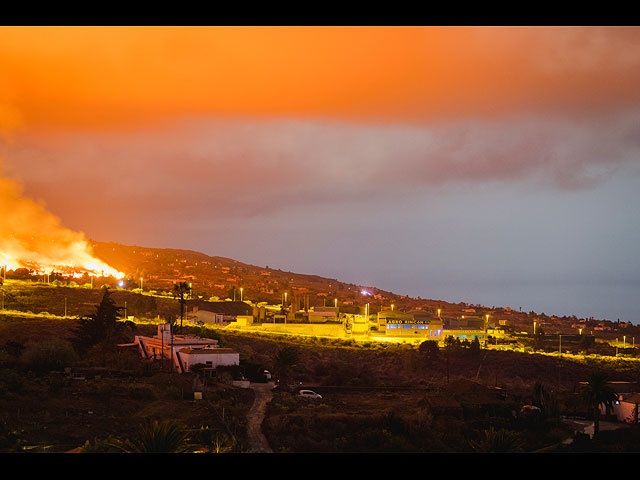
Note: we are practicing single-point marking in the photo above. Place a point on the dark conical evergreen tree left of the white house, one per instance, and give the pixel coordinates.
(102, 327)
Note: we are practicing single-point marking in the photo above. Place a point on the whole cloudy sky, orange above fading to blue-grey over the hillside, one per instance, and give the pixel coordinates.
(489, 165)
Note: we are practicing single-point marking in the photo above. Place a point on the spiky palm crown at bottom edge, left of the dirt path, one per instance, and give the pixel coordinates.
(167, 436)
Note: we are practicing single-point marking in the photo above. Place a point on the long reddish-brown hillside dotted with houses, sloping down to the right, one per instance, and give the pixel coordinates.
(214, 277)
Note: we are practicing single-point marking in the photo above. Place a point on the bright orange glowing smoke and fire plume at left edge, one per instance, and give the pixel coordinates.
(32, 237)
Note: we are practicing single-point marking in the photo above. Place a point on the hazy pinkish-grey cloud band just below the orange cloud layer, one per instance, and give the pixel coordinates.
(247, 167)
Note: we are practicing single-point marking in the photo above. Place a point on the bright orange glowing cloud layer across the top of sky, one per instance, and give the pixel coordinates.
(92, 76)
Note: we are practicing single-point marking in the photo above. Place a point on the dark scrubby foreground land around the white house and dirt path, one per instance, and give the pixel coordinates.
(375, 397)
